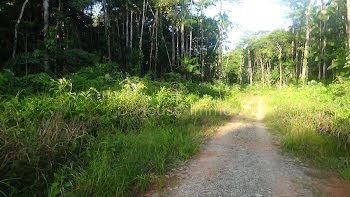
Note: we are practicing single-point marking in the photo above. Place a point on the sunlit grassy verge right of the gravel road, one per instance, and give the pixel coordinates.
(315, 124)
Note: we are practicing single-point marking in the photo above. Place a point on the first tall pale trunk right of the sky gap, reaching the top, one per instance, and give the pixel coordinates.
(307, 40)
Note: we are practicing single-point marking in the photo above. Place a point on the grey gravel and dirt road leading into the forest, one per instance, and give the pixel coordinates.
(244, 159)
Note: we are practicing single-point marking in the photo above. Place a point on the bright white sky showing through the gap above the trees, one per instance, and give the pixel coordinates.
(252, 15)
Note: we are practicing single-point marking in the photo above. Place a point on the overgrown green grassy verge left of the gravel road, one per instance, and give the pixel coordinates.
(104, 141)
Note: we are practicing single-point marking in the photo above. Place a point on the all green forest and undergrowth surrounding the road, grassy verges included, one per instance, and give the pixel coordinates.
(104, 97)
